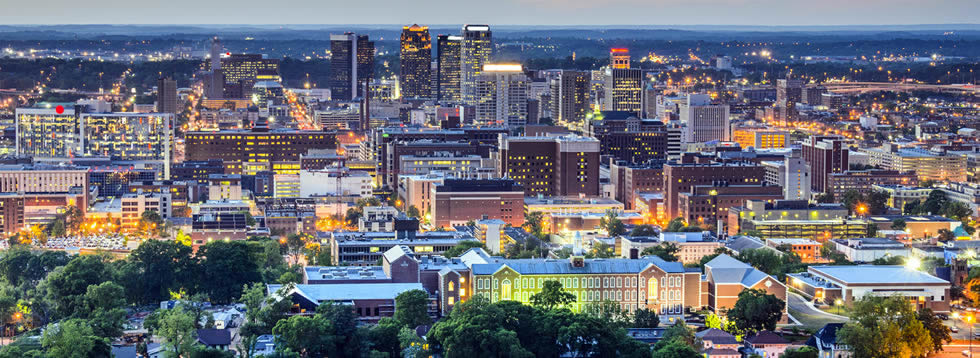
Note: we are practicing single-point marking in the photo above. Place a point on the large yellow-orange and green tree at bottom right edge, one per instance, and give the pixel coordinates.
(885, 327)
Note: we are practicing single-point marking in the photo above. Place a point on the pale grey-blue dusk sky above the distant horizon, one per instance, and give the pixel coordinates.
(497, 12)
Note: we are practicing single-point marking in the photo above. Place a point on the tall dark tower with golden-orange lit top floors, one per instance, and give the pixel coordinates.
(416, 62)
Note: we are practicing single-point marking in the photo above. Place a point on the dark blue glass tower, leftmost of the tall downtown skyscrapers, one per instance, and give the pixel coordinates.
(351, 64)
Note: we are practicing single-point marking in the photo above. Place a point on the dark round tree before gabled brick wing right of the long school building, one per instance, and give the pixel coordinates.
(755, 310)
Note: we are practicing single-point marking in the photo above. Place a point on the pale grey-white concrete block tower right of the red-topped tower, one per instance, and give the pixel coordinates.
(704, 121)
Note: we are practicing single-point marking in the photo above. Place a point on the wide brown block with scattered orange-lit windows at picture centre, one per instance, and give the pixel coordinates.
(552, 166)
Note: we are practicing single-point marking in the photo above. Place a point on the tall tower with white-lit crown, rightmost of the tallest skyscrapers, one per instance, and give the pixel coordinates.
(475, 51)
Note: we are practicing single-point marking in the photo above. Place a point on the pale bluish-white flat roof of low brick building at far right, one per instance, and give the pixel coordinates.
(876, 274)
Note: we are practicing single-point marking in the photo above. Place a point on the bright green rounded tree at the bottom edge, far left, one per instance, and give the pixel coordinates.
(72, 339)
